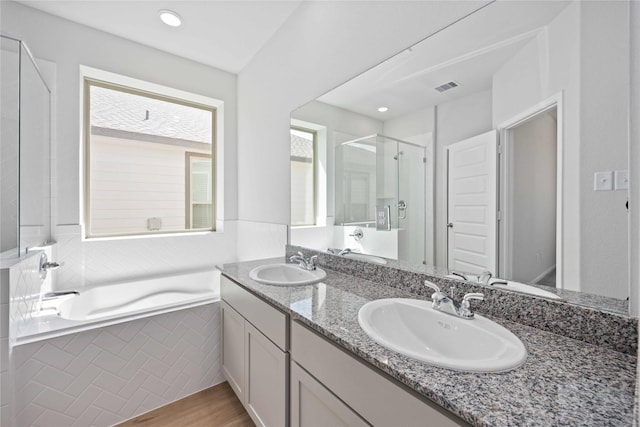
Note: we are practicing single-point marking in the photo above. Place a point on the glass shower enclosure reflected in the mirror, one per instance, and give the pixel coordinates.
(377, 174)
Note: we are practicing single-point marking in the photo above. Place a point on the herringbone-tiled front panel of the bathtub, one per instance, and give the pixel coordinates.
(105, 376)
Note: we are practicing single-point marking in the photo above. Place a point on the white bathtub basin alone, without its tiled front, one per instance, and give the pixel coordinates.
(159, 294)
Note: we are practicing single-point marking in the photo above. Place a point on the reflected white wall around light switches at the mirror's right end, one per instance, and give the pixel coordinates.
(604, 132)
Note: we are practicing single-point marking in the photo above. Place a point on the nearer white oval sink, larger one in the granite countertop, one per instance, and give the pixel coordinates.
(412, 327)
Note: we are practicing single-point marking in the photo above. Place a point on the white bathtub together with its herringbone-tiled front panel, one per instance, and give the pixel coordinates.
(117, 351)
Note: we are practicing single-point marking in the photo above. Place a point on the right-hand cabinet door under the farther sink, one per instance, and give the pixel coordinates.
(266, 379)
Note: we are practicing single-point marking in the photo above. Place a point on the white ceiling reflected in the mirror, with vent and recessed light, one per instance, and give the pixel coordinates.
(469, 53)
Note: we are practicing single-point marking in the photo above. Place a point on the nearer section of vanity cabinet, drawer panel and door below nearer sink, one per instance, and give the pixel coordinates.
(330, 384)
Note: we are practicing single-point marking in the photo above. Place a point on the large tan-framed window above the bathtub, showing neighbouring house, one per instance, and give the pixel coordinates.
(149, 162)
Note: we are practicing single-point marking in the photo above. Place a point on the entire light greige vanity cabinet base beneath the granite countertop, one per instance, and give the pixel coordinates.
(319, 385)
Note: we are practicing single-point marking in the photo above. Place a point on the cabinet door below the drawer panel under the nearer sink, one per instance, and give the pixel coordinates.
(312, 405)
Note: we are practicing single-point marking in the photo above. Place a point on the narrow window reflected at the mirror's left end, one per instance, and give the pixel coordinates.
(303, 177)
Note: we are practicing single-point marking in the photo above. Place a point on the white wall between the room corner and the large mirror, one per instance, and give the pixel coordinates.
(323, 45)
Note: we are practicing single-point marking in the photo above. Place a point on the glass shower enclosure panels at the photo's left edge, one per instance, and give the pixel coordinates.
(25, 165)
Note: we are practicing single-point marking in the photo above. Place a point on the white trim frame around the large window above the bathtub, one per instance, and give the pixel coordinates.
(96, 74)
